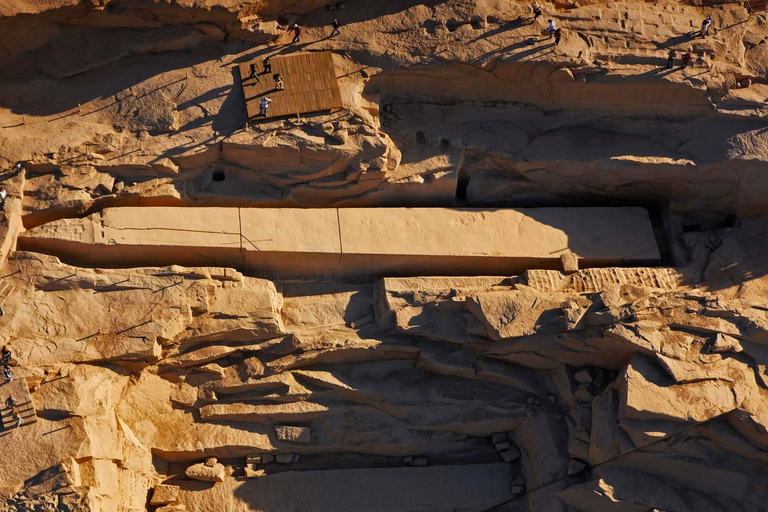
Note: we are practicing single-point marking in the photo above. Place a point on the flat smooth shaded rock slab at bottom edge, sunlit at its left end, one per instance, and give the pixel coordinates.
(460, 488)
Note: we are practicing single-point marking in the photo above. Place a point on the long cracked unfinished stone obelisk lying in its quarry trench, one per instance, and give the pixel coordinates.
(352, 241)
